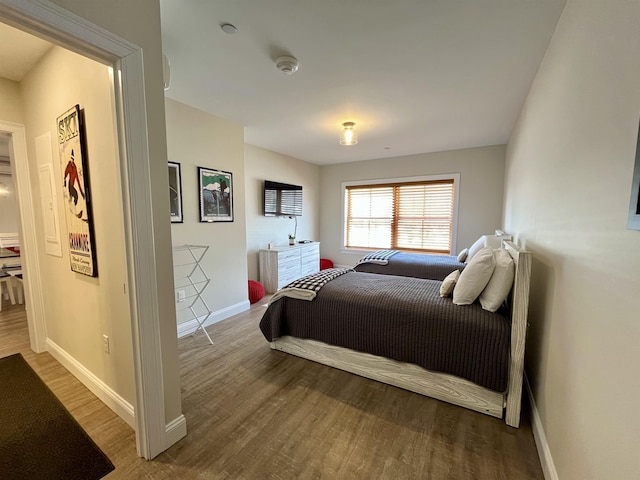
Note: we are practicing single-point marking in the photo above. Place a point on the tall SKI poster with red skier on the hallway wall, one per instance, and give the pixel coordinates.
(76, 195)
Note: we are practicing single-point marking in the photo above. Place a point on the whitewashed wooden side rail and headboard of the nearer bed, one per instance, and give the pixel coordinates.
(441, 386)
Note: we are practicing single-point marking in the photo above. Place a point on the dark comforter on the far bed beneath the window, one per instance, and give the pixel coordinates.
(418, 265)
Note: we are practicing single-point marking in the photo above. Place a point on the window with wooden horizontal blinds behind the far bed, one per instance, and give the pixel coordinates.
(413, 216)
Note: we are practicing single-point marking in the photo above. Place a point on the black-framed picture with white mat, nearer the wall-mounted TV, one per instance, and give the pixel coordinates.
(216, 195)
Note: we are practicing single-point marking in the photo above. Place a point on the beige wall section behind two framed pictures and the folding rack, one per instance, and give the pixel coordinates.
(197, 139)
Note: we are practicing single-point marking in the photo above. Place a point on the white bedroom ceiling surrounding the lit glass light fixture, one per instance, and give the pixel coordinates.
(415, 75)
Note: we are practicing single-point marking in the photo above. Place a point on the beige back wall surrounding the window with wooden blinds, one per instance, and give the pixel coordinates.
(481, 186)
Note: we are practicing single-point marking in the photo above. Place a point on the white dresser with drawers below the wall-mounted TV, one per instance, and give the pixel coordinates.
(282, 264)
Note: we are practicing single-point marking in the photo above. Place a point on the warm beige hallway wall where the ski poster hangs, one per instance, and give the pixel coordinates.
(80, 309)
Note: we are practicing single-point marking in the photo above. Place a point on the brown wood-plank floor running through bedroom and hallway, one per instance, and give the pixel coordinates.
(253, 413)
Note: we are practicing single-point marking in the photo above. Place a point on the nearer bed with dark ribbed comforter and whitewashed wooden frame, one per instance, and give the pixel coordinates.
(430, 357)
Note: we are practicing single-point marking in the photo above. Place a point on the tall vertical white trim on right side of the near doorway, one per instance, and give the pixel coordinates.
(141, 256)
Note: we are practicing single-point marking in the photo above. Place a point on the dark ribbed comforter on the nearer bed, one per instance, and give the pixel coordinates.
(400, 318)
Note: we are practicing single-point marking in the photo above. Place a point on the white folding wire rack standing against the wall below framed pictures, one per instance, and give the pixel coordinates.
(190, 281)
